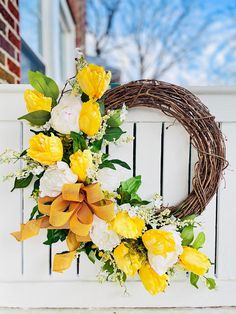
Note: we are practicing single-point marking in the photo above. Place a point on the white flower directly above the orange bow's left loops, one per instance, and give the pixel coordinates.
(54, 178)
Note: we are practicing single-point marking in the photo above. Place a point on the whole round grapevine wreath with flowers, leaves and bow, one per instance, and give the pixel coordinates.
(81, 196)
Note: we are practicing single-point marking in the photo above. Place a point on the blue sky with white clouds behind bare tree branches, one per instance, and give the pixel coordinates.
(211, 59)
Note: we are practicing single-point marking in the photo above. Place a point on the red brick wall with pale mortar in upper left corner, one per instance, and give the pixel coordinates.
(9, 42)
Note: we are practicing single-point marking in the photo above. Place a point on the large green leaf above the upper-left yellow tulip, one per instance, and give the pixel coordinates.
(44, 85)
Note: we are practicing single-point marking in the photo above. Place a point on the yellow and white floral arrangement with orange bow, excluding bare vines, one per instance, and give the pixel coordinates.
(80, 196)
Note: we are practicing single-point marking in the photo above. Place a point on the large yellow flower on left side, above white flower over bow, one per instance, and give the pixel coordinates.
(45, 149)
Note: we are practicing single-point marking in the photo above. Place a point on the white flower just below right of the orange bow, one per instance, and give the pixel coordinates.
(104, 238)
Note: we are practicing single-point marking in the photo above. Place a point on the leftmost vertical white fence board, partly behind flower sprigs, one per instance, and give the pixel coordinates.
(11, 204)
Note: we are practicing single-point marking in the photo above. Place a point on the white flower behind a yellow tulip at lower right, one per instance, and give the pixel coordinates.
(160, 263)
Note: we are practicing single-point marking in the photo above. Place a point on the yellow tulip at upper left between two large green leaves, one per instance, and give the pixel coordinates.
(37, 101)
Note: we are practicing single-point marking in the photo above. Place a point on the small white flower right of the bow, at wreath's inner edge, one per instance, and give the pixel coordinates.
(110, 179)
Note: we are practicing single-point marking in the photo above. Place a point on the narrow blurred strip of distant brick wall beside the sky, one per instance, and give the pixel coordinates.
(78, 10)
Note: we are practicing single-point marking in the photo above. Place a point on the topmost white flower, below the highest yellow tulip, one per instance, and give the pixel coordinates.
(65, 116)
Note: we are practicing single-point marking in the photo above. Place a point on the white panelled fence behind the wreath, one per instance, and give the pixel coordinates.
(162, 154)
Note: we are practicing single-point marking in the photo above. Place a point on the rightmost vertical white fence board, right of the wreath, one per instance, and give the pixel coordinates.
(226, 252)
